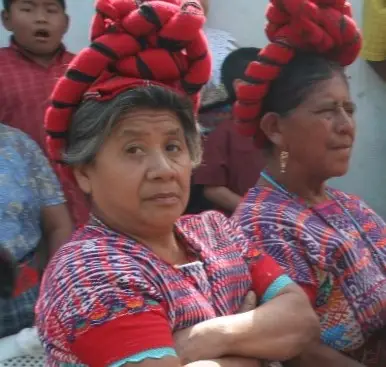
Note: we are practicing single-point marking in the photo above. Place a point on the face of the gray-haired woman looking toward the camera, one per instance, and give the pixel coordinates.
(140, 178)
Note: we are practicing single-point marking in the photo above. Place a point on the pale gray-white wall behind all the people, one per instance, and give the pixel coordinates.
(367, 176)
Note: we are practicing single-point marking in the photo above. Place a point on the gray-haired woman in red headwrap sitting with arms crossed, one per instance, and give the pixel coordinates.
(136, 273)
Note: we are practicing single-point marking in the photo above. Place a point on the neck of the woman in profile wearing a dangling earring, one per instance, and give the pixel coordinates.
(295, 181)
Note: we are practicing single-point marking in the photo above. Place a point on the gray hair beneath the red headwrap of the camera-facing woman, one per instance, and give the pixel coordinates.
(94, 121)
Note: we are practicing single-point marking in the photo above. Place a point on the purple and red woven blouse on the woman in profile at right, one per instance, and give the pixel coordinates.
(343, 274)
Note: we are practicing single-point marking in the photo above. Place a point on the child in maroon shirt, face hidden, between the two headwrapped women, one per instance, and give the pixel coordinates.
(231, 163)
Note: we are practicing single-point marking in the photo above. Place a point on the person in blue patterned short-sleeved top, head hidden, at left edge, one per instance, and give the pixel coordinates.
(33, 221)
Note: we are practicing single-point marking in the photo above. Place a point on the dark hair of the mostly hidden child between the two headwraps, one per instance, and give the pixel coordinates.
(234, 67)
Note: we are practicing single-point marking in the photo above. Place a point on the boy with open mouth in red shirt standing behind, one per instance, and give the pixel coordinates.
(29, 69)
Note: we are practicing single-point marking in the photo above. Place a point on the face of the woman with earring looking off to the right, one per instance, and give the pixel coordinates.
(319, 134)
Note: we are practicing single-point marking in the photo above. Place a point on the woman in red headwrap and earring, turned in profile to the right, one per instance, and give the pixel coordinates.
(329, 242)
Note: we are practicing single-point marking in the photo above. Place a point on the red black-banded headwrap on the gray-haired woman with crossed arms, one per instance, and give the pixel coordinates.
(133, 42)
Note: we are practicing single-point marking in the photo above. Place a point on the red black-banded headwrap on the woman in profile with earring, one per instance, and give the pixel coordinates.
(325, 27)
